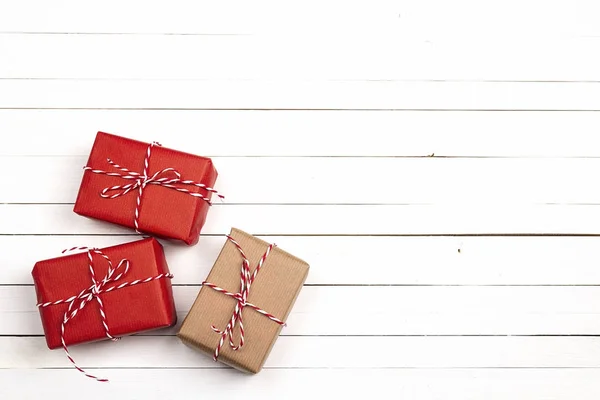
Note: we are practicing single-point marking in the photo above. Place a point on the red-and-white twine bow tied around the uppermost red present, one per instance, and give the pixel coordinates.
(168, 178)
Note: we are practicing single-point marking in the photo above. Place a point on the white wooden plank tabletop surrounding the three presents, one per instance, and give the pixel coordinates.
(436, 162)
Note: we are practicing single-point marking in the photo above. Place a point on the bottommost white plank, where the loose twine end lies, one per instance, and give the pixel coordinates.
(439, 384)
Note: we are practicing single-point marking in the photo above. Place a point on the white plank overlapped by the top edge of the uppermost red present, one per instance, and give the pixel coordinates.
(307, 133)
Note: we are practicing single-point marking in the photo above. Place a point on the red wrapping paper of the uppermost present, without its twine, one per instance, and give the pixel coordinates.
(163, 212)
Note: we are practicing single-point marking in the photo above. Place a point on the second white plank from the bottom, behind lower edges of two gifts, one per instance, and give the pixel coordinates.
(322, 352)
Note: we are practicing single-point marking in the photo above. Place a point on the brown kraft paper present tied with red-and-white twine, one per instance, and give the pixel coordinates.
(244, 302)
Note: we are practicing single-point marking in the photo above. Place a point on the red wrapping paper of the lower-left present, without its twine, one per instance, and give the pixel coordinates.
(128, 310)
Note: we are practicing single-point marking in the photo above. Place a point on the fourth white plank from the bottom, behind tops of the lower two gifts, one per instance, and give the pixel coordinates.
(373, 260)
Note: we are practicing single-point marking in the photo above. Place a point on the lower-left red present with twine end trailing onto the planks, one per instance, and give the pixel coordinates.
(100, 294)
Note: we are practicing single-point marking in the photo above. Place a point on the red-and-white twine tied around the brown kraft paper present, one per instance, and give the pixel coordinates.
(246, 280)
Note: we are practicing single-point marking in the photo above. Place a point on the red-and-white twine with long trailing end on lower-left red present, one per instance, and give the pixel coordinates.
(78, 302)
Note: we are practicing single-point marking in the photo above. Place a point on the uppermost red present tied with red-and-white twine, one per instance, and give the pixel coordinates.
(156, 190)
